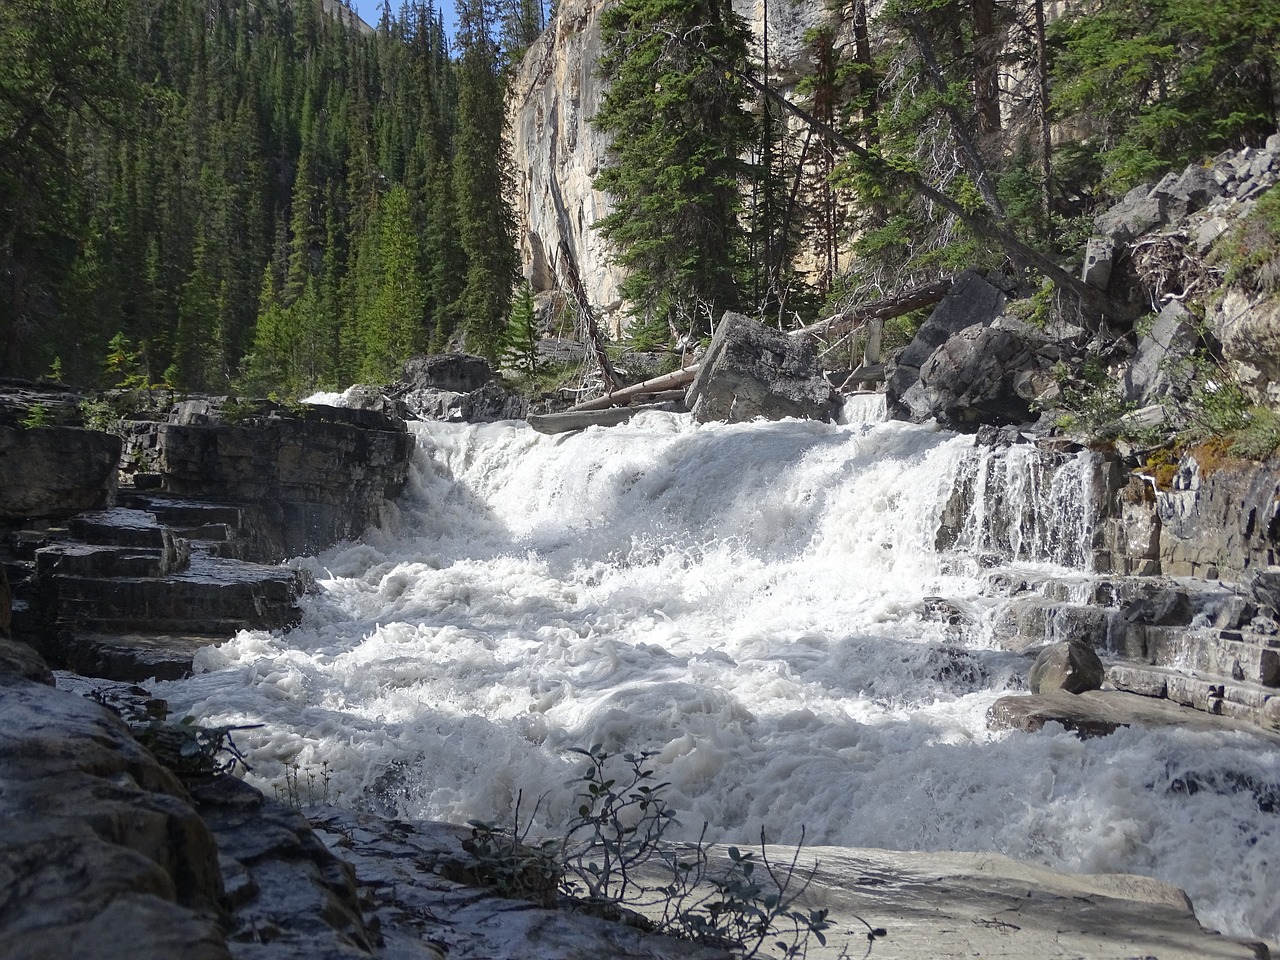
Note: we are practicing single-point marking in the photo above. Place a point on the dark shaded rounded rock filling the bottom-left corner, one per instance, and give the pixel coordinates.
(102, 856)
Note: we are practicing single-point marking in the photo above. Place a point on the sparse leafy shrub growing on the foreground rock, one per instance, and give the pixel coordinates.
(614, 860)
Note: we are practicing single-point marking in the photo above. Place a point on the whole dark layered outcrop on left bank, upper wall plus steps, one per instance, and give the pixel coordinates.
(189, 557)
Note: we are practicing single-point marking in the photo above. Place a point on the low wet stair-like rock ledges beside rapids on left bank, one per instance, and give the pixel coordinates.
(135, 592)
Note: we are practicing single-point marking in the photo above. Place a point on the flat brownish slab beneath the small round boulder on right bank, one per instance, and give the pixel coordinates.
(1101, 712)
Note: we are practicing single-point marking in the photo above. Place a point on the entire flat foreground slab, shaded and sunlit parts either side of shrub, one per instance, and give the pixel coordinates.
(931, 907)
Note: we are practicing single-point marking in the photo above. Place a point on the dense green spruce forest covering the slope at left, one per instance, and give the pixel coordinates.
(255, 195)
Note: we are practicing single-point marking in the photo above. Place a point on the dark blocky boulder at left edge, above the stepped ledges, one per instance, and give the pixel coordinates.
(54, 472)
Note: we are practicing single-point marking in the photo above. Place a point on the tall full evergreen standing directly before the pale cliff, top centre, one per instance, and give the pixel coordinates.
(675, 108)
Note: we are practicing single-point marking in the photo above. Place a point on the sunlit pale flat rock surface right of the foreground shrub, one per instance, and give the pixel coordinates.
(938, 907)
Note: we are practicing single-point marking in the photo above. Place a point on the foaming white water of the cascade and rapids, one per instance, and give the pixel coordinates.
(747, 602)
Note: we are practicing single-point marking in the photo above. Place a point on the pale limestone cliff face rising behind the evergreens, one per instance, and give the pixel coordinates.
(559, 153)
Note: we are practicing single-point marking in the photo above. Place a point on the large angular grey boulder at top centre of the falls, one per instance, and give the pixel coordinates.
(755, 372)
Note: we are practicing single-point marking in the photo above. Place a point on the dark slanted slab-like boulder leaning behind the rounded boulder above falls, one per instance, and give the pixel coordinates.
(972, 301)
